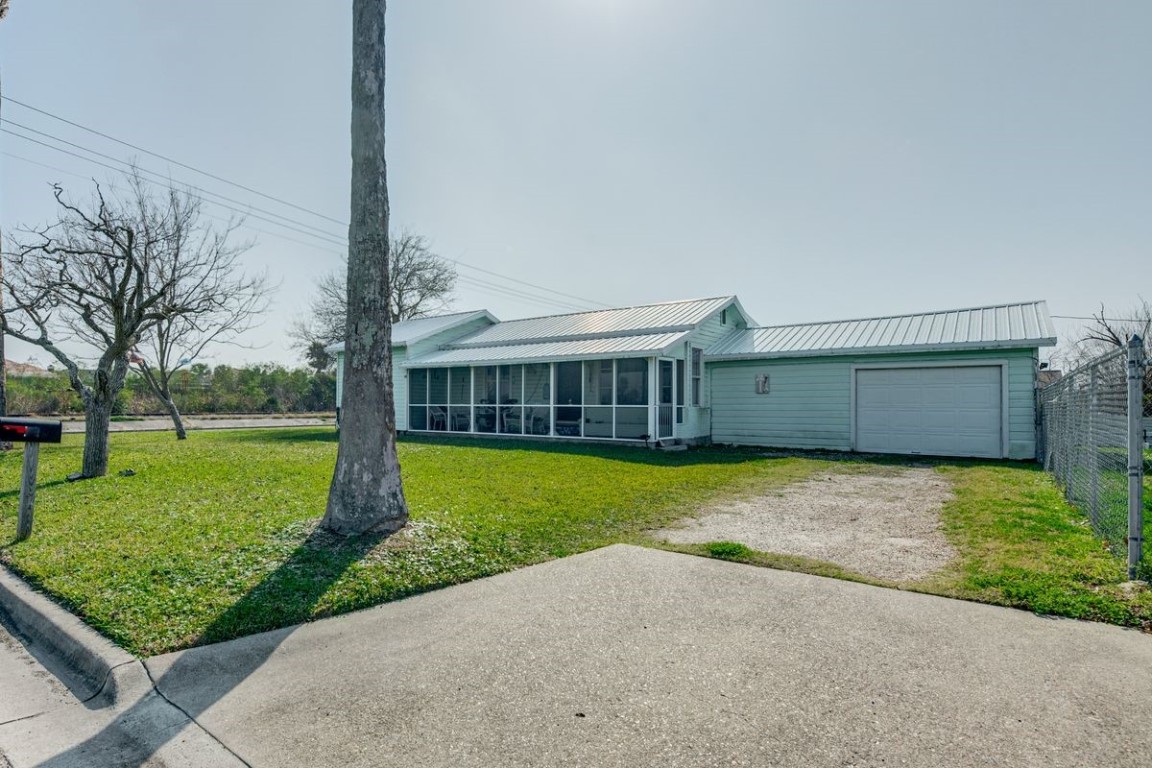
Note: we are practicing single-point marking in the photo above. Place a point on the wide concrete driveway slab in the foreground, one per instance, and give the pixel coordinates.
(630, 657)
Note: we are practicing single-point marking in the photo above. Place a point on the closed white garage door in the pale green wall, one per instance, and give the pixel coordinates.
(935, 412)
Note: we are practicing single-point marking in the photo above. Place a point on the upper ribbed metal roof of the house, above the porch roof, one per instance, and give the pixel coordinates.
(670, 317)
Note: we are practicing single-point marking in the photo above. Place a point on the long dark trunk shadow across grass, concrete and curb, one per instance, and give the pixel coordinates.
(294, 590)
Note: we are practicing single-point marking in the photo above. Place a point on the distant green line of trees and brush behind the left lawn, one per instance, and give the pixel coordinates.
(261, 389)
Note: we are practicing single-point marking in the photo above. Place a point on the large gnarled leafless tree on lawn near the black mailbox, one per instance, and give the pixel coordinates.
(102, 278)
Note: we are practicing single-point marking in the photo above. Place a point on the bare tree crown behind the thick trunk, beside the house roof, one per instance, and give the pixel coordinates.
(421, 284)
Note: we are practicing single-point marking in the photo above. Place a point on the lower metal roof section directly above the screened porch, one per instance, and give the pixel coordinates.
(636, 346)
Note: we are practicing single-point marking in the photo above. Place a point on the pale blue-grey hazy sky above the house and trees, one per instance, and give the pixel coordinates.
(822, 161)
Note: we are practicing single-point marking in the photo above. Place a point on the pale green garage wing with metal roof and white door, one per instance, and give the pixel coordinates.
(953, 383)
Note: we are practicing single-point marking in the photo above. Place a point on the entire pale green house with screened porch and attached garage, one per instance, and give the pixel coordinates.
(957, 383)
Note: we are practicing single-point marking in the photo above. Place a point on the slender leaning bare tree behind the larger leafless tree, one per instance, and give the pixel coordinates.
(222, 303)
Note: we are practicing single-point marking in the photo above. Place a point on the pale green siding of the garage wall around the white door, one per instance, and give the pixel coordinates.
(810, 400)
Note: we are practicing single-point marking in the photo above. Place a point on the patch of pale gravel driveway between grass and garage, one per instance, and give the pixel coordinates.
(883, 523)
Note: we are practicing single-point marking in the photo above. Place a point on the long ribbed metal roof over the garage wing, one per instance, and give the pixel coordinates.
(984, 328)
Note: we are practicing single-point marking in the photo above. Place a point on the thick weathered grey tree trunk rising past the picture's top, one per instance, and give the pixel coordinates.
(367, 493)
